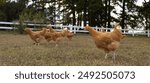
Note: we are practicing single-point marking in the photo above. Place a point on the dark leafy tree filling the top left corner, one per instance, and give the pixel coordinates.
(12, 10)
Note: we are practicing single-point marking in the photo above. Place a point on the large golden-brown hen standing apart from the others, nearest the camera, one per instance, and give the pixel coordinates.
(108, 41)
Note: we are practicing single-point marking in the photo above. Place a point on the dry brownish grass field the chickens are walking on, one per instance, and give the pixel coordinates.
(18, 50)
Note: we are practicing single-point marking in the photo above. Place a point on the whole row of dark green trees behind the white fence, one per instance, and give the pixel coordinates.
(95, 12)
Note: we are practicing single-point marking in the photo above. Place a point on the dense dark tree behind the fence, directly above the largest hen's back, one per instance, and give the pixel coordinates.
(96, 13)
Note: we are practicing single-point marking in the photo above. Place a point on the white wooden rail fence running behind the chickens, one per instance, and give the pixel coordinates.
(76, 29)
